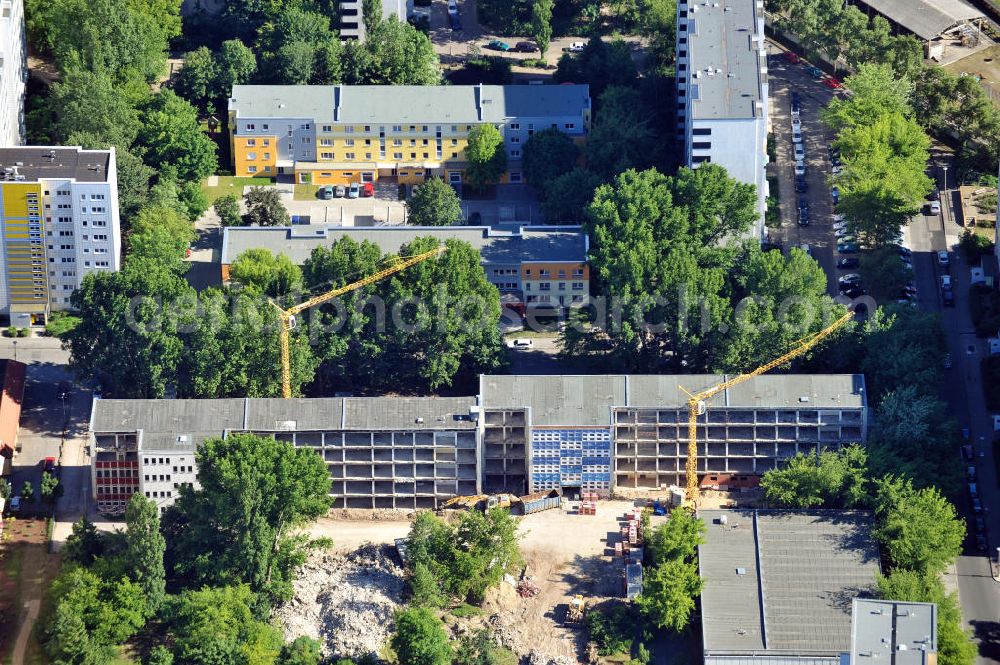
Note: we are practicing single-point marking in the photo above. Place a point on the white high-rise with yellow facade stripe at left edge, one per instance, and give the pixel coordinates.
(59, 222)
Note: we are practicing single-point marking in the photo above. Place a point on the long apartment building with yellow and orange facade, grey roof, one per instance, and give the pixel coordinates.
(342, 134)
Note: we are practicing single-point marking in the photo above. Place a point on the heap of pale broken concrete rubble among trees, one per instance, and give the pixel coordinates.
(345, 602)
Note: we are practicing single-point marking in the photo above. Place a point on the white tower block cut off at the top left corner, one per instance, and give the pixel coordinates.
(13, 72)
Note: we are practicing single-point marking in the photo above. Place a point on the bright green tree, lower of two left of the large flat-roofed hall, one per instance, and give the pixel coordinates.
(668, 594)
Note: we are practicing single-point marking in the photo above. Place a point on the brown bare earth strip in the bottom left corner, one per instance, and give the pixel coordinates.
(26, 567)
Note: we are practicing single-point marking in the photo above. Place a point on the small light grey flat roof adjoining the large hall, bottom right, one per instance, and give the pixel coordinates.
(893, 631)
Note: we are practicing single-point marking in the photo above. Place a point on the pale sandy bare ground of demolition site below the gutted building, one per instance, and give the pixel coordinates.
(565, 554)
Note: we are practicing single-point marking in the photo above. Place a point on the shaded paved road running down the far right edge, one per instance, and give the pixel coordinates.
(978, 593)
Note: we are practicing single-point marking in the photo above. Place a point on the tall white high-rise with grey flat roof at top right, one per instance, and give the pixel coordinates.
(722, 90)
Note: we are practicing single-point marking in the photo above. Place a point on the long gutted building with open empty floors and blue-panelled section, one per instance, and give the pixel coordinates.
(519, 434)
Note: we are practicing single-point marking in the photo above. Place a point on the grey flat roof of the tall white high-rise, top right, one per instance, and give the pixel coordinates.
(723, 59)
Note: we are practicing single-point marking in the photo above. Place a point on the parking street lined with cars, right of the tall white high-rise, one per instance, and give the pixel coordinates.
(784, 78)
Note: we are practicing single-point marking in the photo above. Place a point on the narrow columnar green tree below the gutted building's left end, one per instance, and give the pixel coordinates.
(145, 547)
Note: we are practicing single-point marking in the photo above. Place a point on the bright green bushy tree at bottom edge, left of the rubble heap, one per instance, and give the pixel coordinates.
(218, 625)
